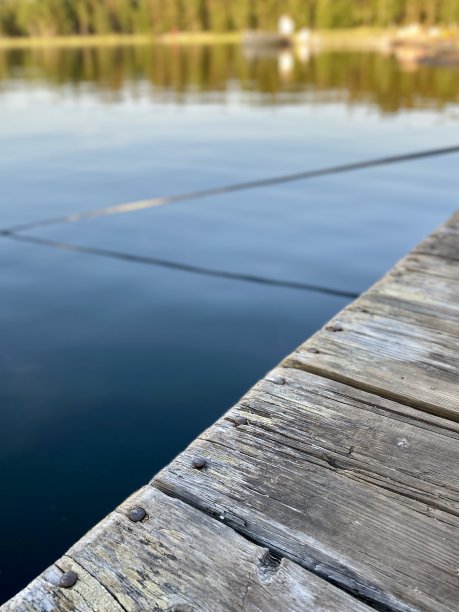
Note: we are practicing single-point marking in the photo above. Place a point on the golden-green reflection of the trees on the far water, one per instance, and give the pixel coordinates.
(179, 74)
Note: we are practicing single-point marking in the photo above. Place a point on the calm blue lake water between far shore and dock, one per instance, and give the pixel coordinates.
(109, 367)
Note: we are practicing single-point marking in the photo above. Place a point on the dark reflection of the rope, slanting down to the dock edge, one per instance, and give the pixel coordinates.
(179, 266)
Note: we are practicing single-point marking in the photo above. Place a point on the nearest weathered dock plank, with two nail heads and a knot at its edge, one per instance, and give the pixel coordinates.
(178, 559)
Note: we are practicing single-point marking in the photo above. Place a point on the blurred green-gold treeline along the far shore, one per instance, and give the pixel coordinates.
(66, 17)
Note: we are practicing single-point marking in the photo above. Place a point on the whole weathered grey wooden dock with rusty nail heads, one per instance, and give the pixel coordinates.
(332, 485)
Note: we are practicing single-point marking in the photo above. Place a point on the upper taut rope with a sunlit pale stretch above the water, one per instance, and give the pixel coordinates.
(309, 174)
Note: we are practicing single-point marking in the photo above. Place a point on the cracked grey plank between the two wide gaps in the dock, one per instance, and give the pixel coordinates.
(350, 485)
